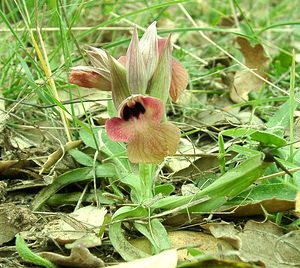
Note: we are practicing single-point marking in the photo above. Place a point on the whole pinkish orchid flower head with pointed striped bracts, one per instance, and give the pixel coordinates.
(141, 83)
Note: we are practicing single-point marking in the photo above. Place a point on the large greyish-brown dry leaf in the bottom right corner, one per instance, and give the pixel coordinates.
(261, 242)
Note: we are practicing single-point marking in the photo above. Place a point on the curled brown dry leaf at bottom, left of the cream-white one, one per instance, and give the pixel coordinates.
(80, 257)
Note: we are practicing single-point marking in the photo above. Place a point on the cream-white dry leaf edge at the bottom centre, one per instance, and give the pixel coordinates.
(165, 259)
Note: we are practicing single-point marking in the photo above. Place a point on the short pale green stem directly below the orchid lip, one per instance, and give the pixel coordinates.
(147, 178)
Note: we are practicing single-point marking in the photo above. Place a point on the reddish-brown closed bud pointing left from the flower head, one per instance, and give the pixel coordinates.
(89, 77)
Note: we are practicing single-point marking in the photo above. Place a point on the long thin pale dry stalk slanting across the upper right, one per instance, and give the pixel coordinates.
(228, 54)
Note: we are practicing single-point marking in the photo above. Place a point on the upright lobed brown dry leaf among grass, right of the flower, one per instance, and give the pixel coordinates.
(244, 81)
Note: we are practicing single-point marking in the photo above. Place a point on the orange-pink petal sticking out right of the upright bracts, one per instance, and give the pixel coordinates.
(179, 80)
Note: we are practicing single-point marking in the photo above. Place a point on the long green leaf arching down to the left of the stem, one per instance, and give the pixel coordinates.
(75, 175)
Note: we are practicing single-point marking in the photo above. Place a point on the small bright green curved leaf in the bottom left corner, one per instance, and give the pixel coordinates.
(27, 255)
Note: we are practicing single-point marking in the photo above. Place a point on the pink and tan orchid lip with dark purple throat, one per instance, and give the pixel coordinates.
(139, 124)
